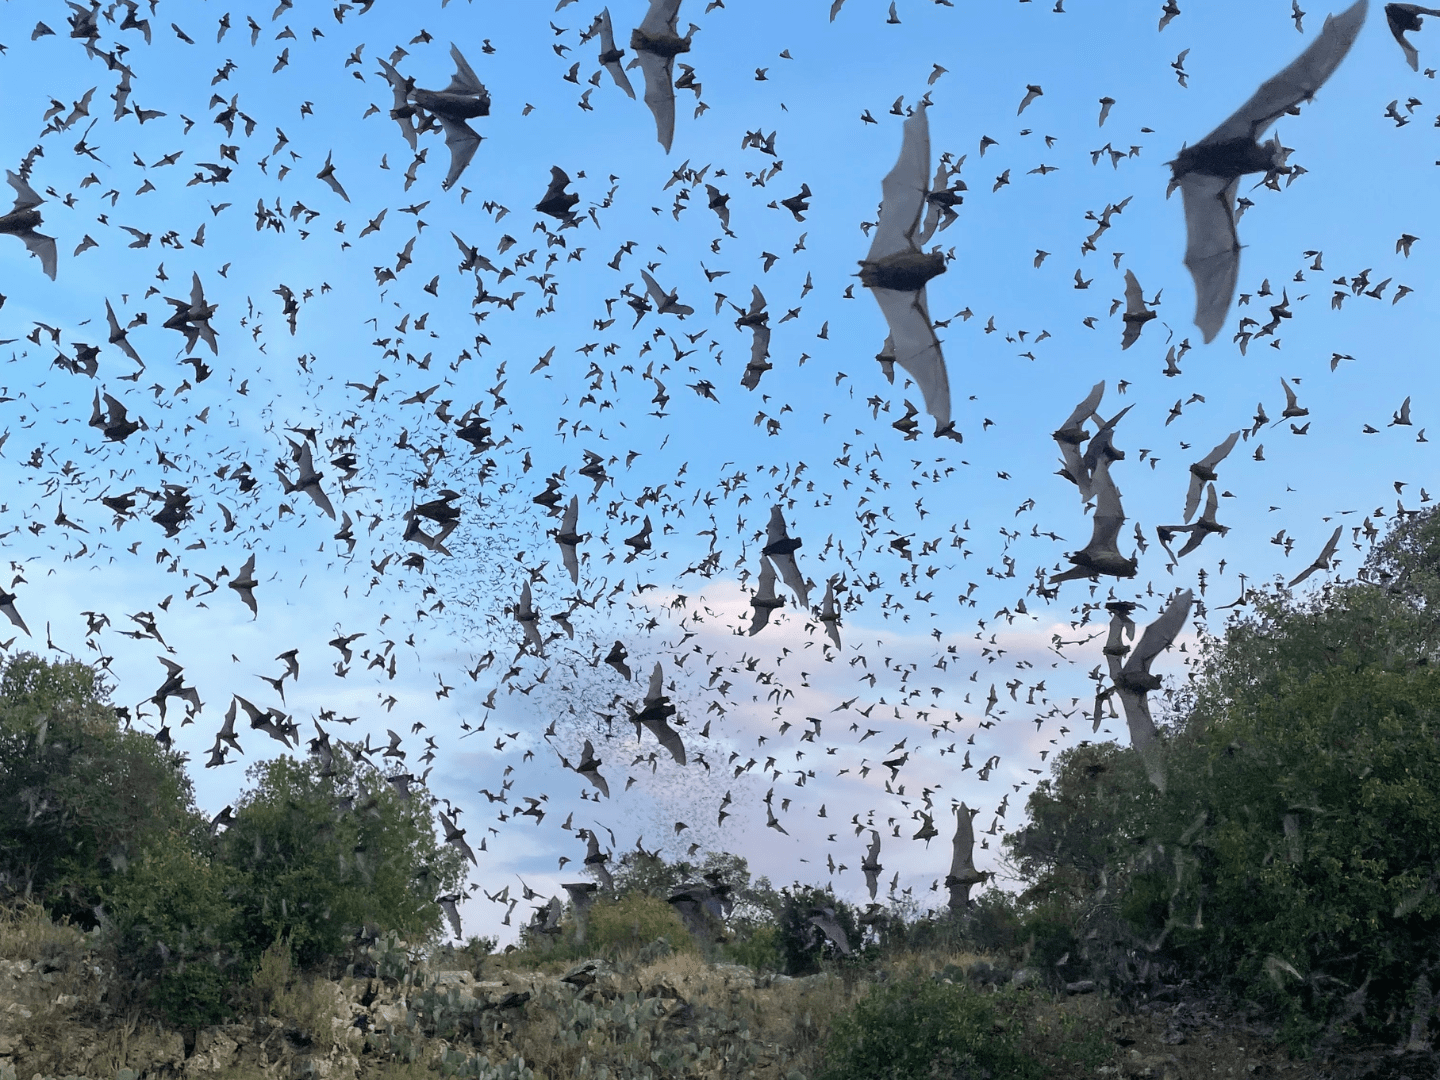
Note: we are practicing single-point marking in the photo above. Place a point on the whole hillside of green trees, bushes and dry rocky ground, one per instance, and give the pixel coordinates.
(1282, 891)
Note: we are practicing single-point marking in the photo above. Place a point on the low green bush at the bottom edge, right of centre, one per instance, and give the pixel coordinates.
(918, 1029)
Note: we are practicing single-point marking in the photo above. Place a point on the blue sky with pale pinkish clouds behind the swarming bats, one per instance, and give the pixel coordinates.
(1367, 182)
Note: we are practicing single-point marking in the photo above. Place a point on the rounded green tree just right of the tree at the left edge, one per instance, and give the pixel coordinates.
(326, 856)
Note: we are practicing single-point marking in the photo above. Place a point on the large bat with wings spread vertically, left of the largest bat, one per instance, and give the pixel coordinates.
(896, 270)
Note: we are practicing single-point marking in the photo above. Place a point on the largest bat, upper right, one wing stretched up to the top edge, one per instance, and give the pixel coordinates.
(1209, 174)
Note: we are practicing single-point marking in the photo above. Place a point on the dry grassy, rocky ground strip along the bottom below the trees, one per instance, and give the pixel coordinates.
(653, 1016)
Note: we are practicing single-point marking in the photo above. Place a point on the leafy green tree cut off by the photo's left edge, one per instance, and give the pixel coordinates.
(81, 796)
